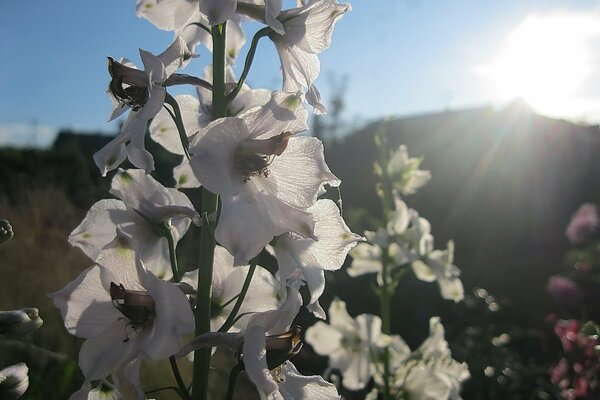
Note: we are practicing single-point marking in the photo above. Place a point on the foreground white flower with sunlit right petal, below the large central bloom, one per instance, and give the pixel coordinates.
(304, 259)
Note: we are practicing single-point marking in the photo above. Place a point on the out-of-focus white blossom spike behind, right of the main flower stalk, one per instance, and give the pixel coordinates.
(362, 349)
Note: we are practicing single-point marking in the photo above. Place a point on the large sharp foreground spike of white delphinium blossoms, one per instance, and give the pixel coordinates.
(240, 146)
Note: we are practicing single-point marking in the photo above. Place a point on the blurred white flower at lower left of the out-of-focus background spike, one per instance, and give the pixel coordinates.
(350, 343)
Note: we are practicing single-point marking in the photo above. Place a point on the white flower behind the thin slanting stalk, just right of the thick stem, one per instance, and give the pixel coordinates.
(227, 283)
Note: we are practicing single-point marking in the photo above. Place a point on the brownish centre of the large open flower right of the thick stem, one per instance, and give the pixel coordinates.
(254, 156)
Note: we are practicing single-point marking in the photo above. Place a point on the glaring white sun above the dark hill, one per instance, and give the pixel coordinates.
(546, 61)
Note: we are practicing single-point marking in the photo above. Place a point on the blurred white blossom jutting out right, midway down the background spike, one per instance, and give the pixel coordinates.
(438, 265)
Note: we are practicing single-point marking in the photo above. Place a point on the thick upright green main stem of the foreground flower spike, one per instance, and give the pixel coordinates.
(202, 313)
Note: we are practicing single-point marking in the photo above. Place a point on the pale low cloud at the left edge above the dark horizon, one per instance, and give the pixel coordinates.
(17, 134)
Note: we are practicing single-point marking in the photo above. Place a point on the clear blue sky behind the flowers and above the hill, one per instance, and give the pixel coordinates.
(400, 58)
